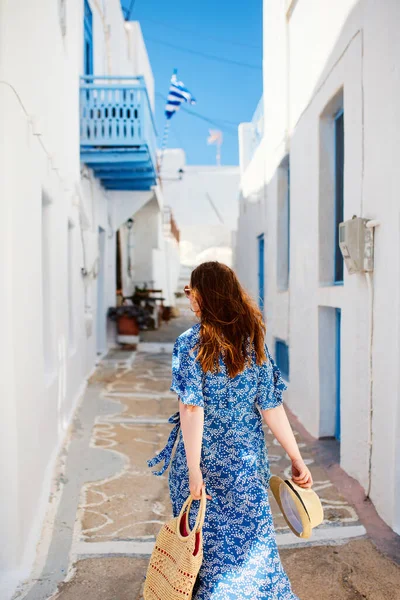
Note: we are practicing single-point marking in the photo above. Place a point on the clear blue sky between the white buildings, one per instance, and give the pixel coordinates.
(225, 93)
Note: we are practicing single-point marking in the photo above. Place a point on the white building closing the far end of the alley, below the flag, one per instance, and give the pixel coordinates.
(202, 198)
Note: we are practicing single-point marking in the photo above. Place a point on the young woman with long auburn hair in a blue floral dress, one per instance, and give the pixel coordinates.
(227, 384)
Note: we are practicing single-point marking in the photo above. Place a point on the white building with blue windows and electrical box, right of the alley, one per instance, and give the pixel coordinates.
(322, 148)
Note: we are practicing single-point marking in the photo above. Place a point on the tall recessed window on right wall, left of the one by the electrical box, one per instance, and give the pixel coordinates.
(283, 225)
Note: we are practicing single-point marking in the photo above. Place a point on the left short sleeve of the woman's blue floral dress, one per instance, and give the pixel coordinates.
(187, 374)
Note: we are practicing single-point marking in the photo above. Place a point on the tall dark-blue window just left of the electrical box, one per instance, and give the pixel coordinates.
(339, 188)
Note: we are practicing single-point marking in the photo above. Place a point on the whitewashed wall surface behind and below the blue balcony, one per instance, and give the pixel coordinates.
(46, 352)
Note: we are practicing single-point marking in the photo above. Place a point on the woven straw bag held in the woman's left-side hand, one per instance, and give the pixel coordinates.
(177, 556)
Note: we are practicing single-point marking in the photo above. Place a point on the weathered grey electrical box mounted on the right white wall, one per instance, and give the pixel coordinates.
(356, 242)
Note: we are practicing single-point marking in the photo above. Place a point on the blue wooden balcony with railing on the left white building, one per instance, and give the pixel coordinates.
(118, 136)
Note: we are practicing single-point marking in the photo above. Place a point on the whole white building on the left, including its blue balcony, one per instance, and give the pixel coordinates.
(75, 166)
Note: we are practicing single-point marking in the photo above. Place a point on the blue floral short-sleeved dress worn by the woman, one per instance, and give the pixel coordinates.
(240, 555)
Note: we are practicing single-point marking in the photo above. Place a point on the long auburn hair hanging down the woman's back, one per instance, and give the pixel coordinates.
(230, 319)
